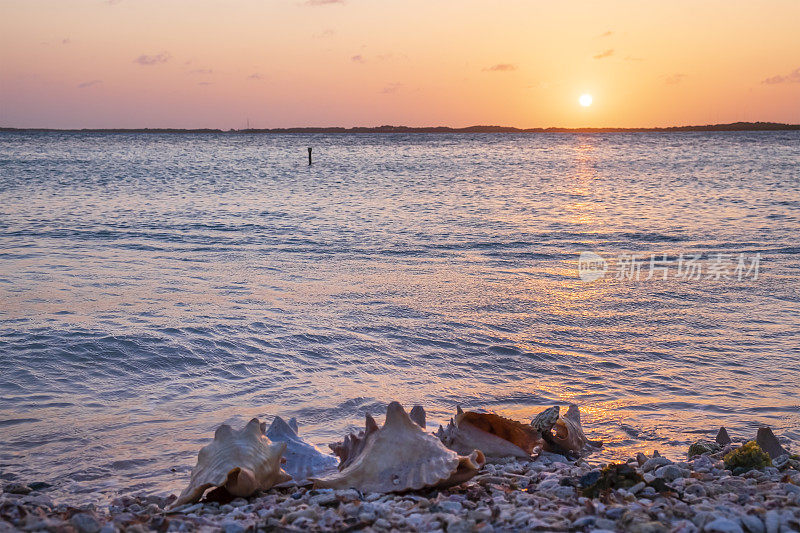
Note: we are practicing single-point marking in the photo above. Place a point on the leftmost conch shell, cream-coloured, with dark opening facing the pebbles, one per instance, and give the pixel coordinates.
(241, 462)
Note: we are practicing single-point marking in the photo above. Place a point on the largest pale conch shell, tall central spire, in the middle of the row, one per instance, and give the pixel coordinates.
(401, 456)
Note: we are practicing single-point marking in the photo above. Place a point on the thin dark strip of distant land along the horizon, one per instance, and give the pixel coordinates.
(735, 126)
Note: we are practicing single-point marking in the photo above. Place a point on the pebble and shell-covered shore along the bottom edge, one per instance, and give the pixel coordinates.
(645, 495)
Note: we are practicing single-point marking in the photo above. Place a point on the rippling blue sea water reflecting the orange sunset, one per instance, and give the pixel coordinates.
(155, 286)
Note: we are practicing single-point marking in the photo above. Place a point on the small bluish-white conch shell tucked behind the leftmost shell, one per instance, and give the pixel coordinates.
(303, 460)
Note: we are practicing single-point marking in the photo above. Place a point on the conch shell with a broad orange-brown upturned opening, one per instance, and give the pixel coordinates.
(494, 435)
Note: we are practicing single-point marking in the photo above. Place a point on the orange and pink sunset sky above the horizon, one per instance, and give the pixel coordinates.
(216, 63)
